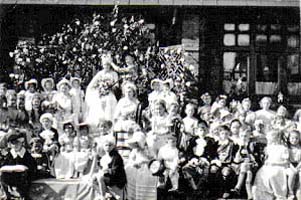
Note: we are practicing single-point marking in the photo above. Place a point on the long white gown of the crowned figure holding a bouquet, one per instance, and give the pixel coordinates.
(100, 107)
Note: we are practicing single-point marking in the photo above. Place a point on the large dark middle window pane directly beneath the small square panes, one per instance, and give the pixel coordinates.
(267, 68)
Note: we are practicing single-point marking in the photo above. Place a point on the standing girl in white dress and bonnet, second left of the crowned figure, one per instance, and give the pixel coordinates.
(63, 103)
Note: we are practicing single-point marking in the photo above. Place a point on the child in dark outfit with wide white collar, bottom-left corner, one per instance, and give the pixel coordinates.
(19, 168)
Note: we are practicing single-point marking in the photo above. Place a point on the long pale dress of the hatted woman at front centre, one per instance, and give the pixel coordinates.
(141, 183)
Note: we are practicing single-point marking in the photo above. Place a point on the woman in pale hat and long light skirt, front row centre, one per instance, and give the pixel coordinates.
(141, 183)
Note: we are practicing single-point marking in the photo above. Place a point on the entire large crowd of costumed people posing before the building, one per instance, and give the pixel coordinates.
(57, 130)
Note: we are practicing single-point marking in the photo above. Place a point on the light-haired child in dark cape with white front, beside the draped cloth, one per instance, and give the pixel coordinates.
(111, 172)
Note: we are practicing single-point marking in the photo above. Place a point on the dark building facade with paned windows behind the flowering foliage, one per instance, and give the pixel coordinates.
(252, 45)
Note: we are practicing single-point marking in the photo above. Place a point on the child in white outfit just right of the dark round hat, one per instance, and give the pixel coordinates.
(170, 156)
